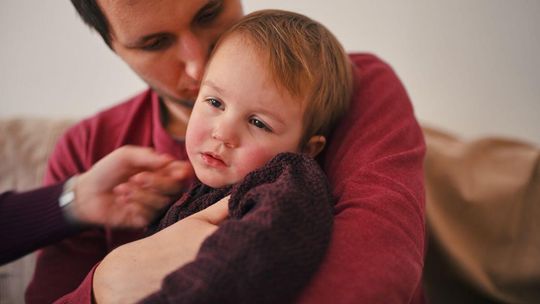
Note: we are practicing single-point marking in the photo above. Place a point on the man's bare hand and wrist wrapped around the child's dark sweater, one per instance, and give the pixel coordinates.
(154, 257)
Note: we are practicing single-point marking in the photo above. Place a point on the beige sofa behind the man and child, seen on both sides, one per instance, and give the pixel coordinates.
(482, 209)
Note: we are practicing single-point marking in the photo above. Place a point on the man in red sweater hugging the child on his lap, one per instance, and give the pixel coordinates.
(374, 158)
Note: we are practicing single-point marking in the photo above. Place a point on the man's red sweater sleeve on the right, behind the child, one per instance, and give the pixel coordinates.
(374, 164)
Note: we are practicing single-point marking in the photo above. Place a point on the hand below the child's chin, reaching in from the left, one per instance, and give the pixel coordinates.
(127, 188)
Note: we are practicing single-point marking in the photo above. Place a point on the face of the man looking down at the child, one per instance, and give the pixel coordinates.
(167, 42)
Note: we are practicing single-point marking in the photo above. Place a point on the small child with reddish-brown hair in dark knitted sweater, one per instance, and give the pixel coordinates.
(275, 85)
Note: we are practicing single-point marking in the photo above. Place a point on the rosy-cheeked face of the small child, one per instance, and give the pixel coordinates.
(241, 119)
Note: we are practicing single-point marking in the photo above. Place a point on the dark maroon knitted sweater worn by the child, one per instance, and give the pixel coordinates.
(273, 242)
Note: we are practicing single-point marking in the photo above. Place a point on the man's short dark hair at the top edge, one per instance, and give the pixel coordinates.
(92, 15)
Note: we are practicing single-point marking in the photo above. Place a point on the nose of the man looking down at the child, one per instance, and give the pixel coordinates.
(193, 52)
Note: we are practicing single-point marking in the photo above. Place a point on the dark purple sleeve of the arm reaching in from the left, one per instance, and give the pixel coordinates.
(30, 220)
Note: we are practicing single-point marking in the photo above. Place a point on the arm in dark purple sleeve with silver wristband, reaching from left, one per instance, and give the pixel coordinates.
(44, 216)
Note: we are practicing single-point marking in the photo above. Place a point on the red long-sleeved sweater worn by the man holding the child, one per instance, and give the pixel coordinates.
(373, 161)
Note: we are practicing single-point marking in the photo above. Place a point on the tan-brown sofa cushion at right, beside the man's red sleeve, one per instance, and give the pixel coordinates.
(483, 210)
